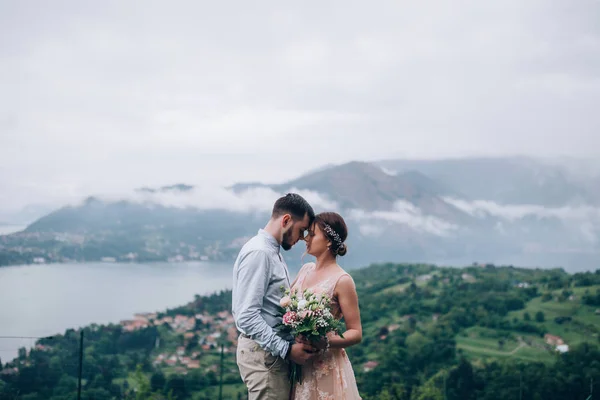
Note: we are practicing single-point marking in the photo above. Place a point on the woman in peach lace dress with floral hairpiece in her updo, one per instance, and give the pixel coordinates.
(329, 375)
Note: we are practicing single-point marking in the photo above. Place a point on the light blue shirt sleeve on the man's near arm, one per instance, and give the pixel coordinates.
(253, 275)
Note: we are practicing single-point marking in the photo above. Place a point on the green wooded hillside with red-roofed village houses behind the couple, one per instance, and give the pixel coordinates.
(476, 332)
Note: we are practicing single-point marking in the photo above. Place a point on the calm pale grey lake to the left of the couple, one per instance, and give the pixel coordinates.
(43, 300)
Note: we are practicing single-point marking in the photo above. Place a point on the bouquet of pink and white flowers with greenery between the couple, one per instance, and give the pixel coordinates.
(308, 316)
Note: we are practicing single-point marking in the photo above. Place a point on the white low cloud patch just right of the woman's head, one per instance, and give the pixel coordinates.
(405, 214)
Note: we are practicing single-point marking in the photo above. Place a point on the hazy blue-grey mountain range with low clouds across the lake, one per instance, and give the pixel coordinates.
(510, 211)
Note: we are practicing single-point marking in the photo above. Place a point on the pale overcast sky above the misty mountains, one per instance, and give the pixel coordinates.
(119, 94)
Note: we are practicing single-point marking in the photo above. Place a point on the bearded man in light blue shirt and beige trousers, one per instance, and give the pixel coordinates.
(258, 274)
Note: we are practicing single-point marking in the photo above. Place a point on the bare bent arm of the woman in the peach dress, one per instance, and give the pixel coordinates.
(348, 300)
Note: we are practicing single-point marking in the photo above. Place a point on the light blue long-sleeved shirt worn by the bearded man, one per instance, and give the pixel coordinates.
(258, 274)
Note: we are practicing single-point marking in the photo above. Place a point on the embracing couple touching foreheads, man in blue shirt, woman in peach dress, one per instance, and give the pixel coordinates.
(263, 354)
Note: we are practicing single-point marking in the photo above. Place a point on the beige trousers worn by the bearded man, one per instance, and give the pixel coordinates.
(265, 375)
